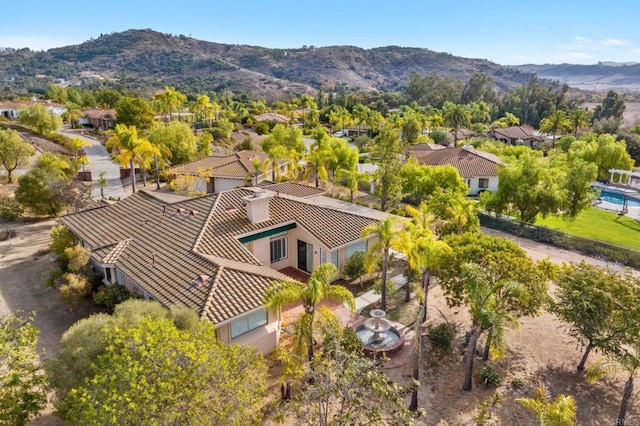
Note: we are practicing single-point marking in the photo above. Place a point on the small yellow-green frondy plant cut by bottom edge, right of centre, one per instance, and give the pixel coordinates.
(560, 411)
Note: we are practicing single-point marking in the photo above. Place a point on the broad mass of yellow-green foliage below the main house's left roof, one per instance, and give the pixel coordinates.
(139, 367)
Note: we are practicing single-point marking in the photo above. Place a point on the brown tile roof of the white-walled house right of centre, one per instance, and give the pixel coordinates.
(469, 161)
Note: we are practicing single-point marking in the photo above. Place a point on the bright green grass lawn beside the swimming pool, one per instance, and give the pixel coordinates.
(599, 225)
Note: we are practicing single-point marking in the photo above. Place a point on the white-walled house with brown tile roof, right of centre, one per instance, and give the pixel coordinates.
(479, 169)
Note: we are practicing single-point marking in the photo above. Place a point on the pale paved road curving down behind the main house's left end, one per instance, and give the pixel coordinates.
(100, 161)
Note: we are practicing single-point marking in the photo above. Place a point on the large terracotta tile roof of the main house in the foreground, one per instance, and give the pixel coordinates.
(165, 248)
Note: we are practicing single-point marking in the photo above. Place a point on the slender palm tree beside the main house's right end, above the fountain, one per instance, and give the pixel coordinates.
(387, 235)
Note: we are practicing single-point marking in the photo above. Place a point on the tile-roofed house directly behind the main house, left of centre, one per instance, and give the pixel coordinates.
(221, 173)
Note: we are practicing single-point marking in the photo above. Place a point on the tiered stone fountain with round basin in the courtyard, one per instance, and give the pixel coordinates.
(378, 336)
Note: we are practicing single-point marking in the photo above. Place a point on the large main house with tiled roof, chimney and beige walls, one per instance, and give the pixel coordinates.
(217, 254)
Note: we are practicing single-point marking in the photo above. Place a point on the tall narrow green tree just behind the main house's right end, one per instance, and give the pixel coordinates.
(385, 150)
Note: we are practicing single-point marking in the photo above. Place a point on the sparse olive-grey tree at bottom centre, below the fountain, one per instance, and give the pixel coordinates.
(346, 389)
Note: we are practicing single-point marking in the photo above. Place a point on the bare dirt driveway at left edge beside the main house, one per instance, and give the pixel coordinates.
(23, 270)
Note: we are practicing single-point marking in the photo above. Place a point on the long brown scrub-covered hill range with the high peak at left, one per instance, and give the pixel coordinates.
(148, 60)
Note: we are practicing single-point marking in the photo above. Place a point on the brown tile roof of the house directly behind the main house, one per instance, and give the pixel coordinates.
(234, 166)
